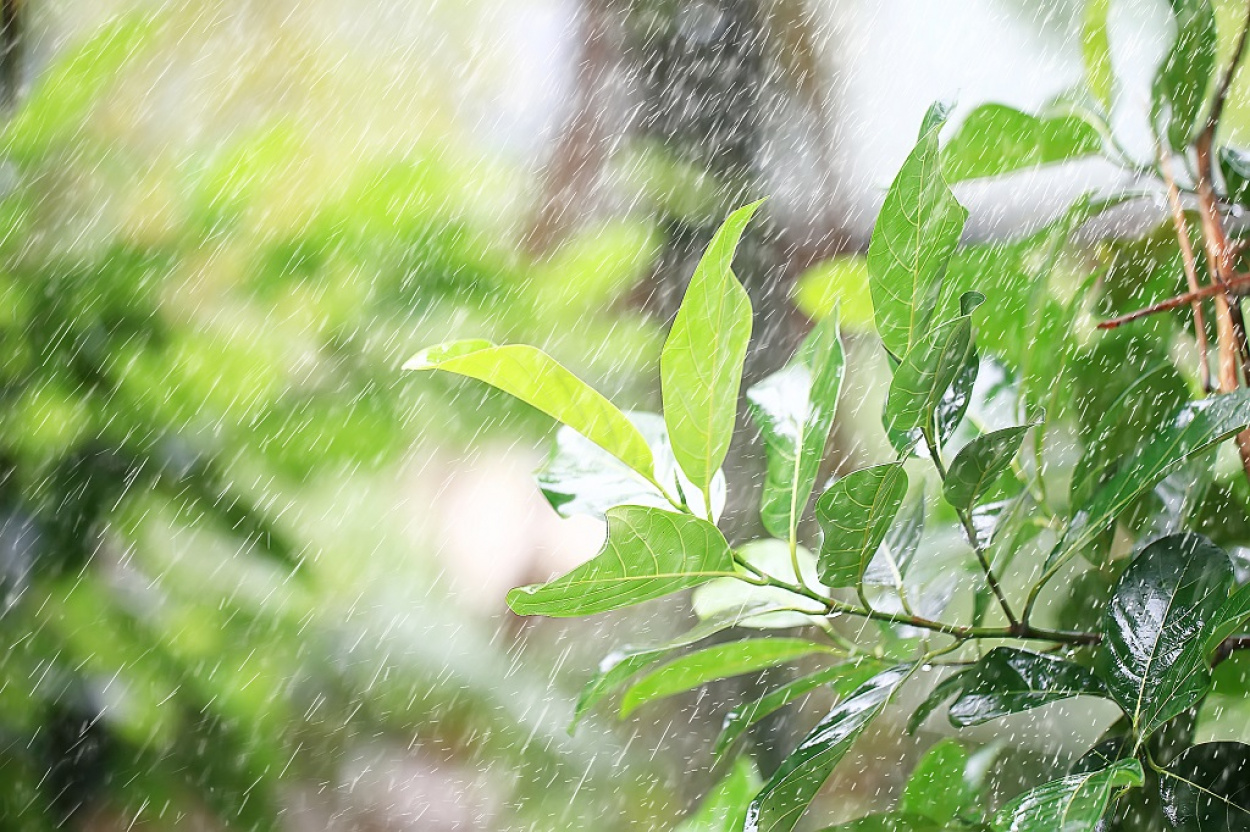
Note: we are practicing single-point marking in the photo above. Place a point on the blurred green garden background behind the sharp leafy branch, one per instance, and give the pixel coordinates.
(252, 577)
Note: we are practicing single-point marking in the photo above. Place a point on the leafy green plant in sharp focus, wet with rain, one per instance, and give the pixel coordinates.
(1106, 475)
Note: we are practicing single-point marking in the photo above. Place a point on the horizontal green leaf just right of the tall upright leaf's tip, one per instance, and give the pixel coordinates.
(997, 139)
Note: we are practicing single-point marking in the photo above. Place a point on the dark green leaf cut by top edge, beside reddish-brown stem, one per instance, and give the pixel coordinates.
(1181, 86)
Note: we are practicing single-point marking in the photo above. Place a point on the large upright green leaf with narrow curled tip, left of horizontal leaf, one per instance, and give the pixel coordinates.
(916, 233)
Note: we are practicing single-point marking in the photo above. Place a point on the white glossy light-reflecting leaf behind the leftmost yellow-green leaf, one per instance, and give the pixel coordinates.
(583, 479)
